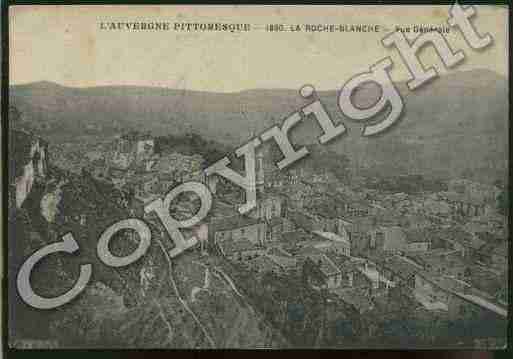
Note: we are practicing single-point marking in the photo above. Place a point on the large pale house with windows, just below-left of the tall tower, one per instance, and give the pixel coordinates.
(238, 228)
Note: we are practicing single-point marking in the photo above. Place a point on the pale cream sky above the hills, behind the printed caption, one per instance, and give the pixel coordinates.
(65, 44)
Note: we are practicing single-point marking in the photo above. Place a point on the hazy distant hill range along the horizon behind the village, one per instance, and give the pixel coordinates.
(456, 124)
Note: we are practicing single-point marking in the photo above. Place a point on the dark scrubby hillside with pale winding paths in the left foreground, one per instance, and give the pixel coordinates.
(115, 310)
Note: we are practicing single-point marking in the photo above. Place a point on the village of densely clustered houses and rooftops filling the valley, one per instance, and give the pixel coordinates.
(360, 251)
